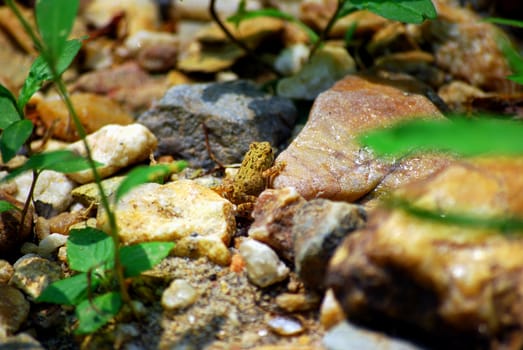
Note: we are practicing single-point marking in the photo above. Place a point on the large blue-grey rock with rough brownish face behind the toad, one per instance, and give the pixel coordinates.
(234, 113)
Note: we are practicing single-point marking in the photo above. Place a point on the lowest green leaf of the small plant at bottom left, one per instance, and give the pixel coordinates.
(95, 313)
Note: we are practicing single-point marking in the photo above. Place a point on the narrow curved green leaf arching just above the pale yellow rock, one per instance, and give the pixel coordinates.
(143, 174)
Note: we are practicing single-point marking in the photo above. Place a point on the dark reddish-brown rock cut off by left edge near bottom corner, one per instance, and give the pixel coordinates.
(14, 309)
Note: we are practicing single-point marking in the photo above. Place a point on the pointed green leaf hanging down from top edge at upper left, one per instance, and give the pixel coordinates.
(55, 19)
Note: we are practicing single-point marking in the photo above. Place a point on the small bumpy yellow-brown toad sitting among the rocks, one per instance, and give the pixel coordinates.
(254, 175)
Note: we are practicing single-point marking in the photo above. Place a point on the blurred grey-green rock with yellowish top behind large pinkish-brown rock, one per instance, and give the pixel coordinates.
(325, 67)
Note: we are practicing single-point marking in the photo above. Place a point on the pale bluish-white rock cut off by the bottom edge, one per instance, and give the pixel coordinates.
(348, 336)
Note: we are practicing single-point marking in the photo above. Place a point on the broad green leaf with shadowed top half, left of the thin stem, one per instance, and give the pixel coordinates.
(88, 248)
